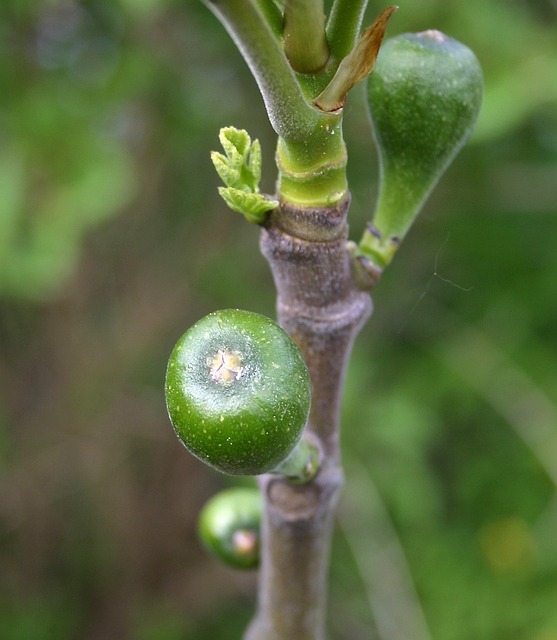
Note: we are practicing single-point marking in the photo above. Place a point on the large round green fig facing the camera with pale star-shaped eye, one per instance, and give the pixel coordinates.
(238, 392)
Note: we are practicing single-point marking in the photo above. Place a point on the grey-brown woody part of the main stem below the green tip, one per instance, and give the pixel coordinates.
(322, 309)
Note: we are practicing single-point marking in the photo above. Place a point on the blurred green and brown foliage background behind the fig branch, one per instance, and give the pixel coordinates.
(113, 241)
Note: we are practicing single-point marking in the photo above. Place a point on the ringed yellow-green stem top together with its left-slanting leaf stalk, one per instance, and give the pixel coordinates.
(311, 155)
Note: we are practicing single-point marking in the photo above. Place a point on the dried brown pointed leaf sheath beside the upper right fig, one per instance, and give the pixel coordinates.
(357, 65)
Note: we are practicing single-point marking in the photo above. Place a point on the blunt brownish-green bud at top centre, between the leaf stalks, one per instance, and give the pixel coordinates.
(305, 43)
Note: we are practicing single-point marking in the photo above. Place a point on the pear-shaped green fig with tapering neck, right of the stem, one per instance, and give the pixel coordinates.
(424, 96)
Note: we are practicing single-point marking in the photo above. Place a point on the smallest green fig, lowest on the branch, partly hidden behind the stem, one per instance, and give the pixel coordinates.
(229, 526)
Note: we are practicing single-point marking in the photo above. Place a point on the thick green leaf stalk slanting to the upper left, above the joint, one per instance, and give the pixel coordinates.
(290, 115)
